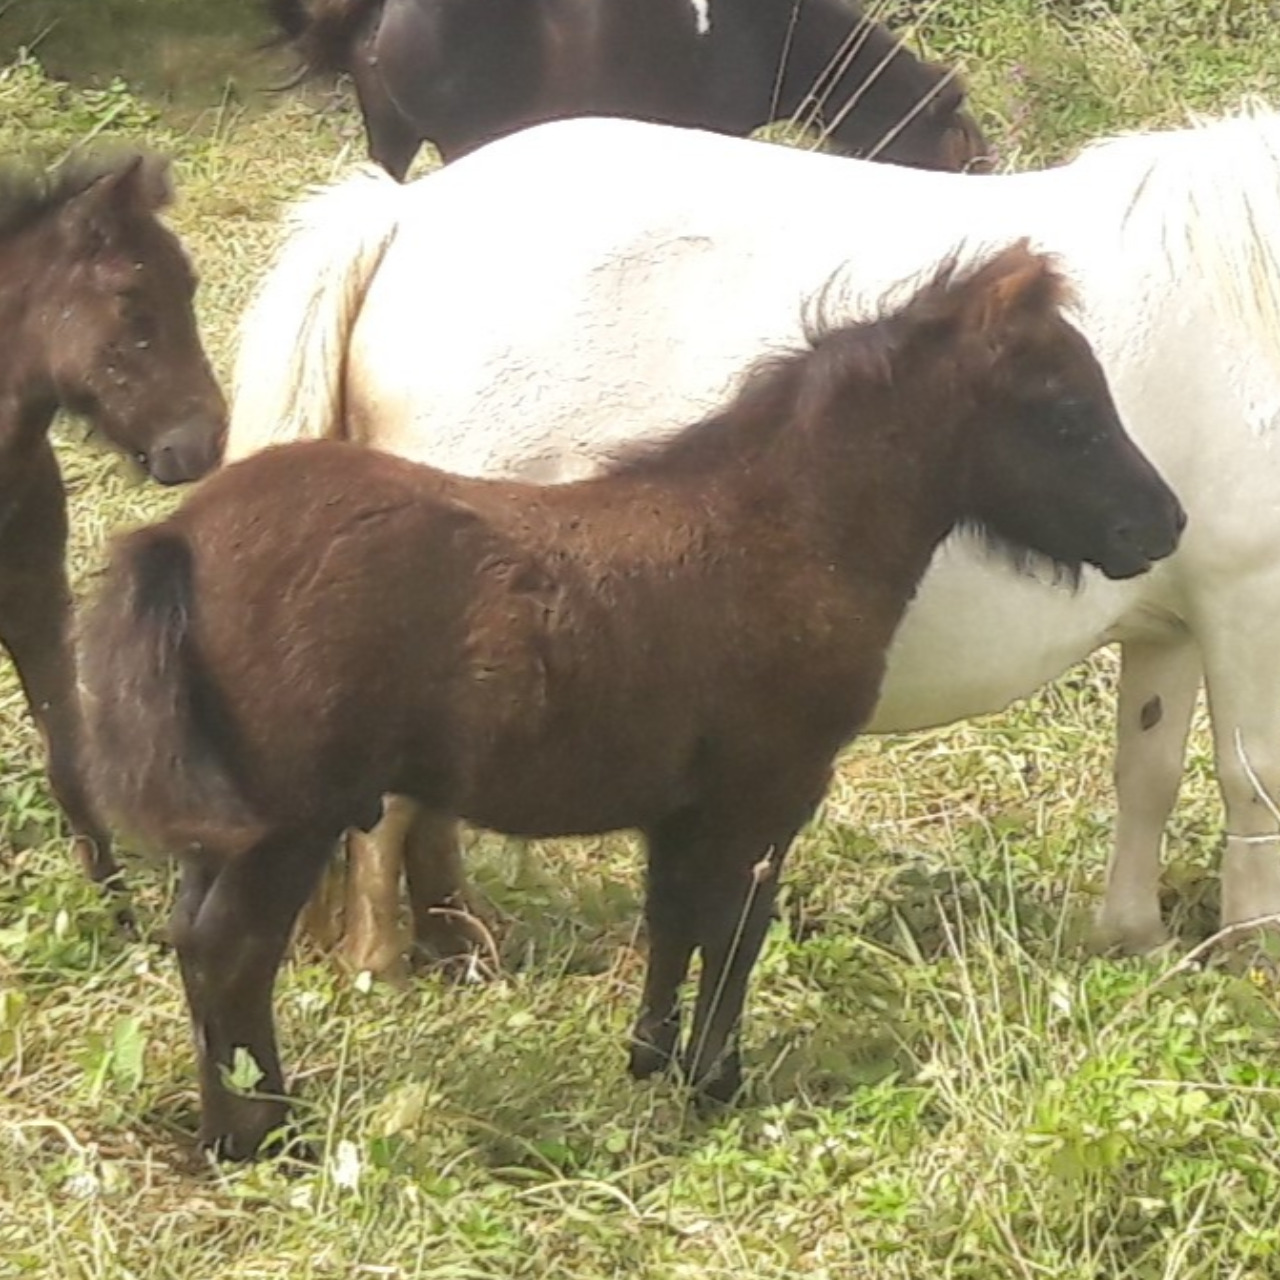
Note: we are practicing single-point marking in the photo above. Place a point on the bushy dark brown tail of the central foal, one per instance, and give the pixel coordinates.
(159, 740)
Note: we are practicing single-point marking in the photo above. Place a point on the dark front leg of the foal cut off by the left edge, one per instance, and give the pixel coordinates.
(35, 628)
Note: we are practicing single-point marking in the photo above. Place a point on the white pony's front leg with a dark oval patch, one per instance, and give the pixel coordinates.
(1159, 684)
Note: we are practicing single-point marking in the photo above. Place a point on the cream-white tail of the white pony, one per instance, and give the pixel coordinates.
(292, 353)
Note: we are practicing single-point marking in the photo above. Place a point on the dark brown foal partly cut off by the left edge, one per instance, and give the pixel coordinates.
(97, 313)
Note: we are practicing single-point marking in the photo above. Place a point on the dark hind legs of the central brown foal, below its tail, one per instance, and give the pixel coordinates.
(231, 927)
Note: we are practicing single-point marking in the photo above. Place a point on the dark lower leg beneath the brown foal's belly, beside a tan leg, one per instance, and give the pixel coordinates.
(445, 927)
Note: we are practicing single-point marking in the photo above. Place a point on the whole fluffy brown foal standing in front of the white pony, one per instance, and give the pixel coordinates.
(682, 646)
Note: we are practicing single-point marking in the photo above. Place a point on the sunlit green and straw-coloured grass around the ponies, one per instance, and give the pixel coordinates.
(943, 1082)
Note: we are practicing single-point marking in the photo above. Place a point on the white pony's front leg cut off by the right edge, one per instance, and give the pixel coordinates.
(1240, 665)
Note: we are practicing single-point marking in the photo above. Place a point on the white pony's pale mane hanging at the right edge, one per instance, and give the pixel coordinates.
(1208, 198)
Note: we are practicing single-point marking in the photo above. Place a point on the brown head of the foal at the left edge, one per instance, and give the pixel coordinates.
(116, 294)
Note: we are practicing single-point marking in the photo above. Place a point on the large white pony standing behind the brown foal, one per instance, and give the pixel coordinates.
(572, 289)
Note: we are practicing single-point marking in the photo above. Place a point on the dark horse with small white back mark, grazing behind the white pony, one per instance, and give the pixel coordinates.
(461, 74)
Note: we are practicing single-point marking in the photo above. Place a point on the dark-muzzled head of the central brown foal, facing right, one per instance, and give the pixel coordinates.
(1046, 467)
